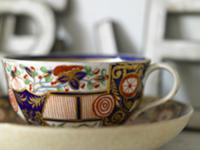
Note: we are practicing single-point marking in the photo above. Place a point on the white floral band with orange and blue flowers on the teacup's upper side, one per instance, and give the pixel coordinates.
(62, 78)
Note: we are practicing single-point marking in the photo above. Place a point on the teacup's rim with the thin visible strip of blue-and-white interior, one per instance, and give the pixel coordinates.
(79, 58)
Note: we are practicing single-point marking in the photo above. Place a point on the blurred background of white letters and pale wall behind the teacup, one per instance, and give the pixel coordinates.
(163, 30)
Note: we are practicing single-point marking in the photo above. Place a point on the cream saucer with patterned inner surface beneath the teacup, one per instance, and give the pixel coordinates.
(149, 131)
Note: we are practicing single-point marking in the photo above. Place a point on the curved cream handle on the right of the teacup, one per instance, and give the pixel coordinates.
(173, 91)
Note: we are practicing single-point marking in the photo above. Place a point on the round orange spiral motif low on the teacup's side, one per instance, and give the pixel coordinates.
(103, 106)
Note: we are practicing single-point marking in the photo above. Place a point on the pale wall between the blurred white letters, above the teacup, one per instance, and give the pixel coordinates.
(82, 15)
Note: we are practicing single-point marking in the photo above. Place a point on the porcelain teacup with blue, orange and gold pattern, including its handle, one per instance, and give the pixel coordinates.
(80, 90)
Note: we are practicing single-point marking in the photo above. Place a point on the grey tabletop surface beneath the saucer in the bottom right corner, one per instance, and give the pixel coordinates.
(186, 140)
